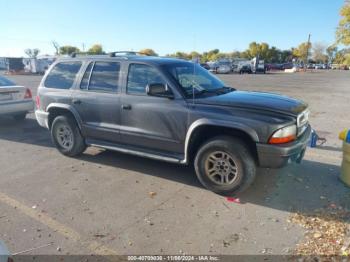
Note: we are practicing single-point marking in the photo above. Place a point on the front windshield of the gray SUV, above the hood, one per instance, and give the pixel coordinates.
(193, 78)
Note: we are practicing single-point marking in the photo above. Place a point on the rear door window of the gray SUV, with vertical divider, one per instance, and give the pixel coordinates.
(101, 76)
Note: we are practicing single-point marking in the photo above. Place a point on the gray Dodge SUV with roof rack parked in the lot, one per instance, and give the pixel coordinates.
(170, 110)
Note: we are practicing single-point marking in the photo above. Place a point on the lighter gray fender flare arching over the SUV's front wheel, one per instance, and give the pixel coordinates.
(222, 123)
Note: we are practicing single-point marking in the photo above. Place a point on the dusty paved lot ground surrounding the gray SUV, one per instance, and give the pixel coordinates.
(100, 203)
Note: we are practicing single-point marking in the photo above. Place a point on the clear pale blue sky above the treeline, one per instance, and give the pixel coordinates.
(166, 26)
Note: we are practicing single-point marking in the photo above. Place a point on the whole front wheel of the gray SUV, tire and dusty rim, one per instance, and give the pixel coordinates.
(239, 157)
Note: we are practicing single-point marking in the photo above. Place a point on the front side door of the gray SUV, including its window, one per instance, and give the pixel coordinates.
(154, 123)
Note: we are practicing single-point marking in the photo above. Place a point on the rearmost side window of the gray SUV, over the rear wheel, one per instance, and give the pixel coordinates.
(62, 76)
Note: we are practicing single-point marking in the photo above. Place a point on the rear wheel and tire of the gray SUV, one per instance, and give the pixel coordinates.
(66, 136)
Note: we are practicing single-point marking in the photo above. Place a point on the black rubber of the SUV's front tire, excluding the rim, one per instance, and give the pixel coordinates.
(240, 155)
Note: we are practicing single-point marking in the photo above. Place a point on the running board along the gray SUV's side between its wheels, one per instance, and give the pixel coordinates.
(127, 150)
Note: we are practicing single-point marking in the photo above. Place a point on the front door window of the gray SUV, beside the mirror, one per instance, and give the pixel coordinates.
(140, 76)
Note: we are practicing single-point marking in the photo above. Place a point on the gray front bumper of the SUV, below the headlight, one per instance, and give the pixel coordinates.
(277, 156)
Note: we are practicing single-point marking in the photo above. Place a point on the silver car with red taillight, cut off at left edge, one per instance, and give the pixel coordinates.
(15, 101)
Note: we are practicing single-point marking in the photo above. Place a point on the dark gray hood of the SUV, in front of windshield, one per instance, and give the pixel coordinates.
(257, 100)
